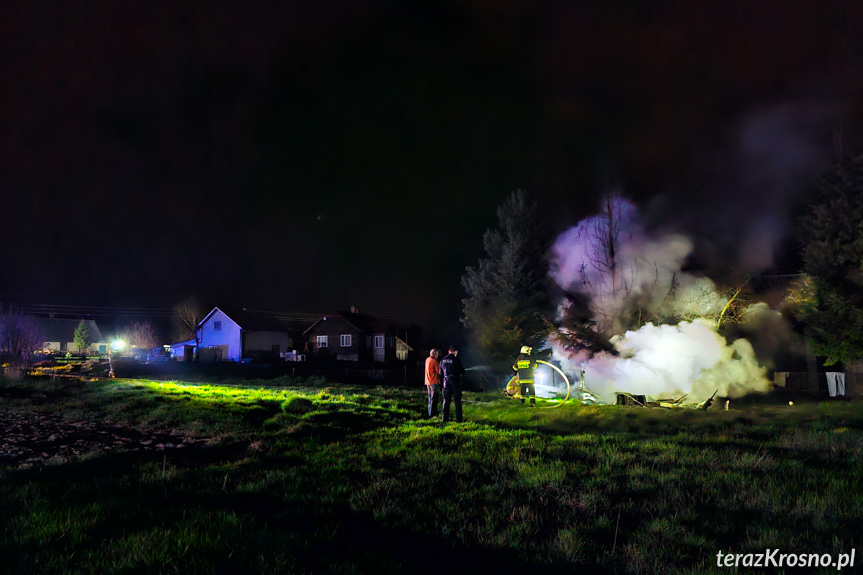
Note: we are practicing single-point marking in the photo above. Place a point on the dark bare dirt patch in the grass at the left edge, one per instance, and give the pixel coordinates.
(35, 439)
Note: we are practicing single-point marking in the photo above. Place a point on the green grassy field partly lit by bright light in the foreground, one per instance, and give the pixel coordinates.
(313, 477)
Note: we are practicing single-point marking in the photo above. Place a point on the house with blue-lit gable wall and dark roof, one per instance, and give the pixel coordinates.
(231, 335)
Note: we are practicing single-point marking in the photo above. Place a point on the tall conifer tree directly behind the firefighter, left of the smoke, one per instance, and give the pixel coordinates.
(508, 290)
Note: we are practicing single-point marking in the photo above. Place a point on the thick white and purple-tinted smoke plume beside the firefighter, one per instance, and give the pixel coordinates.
(661, 321)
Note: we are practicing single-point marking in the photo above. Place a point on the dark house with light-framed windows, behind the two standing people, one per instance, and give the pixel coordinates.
(352, 336)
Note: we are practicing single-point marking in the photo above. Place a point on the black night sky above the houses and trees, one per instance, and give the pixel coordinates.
(308, 156)
